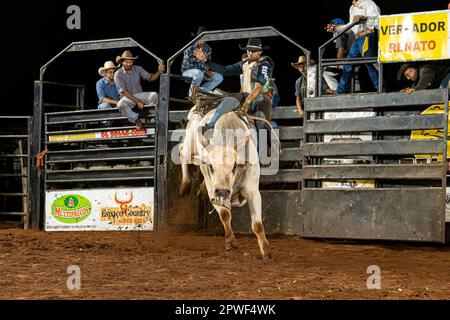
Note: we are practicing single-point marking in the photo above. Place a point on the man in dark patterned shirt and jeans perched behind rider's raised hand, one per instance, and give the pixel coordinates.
(198, 70)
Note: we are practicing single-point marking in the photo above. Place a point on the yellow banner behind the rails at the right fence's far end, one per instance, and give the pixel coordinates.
(431, 134)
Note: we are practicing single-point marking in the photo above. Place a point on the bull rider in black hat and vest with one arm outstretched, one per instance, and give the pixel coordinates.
(256, 82)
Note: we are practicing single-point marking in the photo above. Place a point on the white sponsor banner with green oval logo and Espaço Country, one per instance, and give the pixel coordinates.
(99, 209)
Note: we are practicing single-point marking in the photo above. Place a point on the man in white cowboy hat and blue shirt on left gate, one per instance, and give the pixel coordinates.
(108, 95)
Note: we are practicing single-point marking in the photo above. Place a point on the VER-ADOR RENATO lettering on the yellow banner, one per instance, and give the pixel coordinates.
(412, 46)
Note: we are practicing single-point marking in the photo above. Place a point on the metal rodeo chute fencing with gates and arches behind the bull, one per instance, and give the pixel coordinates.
(356, 166)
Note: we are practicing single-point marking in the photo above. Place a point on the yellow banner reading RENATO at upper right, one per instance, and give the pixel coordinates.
(415, 36)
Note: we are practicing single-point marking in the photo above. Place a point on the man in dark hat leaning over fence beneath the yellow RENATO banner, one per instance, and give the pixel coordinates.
(424, 76)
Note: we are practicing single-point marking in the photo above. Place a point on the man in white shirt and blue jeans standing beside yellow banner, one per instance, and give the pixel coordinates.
(365, 39)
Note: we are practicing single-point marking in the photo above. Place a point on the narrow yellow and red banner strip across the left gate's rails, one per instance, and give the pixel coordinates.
(101, 135)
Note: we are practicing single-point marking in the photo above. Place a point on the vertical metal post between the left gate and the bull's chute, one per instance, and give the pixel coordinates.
(162, 114)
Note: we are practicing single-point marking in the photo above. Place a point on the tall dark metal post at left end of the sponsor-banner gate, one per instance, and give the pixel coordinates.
(35, 173)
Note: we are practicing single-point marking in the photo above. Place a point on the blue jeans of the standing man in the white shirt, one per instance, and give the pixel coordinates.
(355, 52)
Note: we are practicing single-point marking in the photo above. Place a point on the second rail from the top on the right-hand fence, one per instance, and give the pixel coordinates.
(374, 124)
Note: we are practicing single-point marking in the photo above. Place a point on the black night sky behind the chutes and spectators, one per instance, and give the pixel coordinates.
(33, 33)
